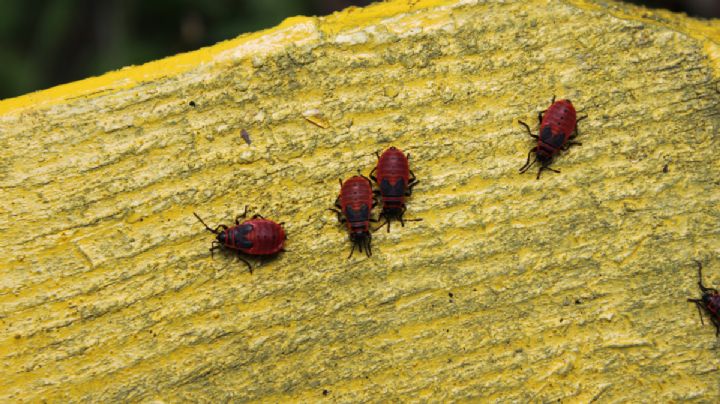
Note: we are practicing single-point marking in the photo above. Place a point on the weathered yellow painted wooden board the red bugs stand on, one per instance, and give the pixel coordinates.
(571, 287)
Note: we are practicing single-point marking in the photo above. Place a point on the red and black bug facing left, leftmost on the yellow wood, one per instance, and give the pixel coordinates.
(257, 237)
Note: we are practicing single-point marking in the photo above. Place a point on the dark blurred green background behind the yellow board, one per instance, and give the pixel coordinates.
(48, 42)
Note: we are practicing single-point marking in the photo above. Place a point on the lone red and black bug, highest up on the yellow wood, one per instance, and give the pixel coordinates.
(558, 126)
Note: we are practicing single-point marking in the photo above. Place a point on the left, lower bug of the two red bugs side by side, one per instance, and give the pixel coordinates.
(355, 202)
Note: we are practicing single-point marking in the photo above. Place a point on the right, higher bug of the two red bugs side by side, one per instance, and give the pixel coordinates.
(395, 180)
